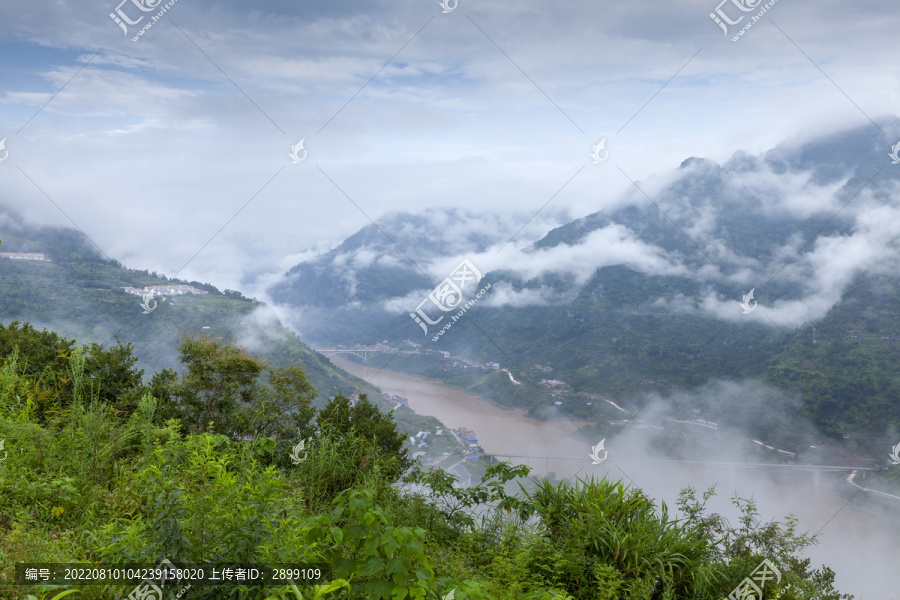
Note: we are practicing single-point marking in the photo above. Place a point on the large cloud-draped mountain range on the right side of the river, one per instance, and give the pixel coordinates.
(643, 297)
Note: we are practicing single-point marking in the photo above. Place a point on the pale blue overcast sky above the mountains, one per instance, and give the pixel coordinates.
(181, 138)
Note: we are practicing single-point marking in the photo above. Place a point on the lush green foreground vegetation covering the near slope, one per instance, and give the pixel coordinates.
(204, 467)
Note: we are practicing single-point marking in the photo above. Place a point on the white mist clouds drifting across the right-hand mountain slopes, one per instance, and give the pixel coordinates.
(818, 270)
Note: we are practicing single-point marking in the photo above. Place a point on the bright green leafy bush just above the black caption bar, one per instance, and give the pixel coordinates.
(206, 502)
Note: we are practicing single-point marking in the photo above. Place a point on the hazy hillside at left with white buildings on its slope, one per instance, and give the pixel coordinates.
(79, 294)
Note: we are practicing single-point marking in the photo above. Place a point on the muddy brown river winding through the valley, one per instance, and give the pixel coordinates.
(853, 543)
